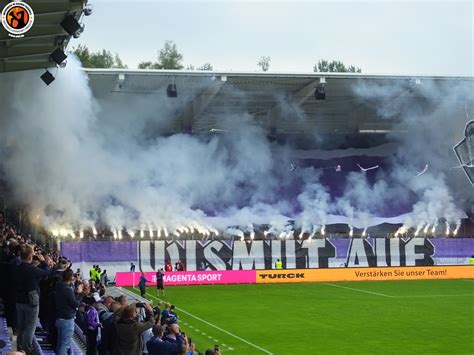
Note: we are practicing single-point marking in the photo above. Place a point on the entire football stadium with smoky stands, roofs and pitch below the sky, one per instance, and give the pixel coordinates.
(235, 212)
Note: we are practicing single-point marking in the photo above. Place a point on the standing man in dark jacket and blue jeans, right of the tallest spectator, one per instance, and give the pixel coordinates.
(67, 302)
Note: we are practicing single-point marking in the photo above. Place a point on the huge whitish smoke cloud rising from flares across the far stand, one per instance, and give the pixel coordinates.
(80, 164)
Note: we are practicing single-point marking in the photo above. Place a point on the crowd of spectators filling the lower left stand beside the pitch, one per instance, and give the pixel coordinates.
(44, 291)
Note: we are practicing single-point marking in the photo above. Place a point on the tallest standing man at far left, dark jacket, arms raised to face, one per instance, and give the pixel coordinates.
(27, 279)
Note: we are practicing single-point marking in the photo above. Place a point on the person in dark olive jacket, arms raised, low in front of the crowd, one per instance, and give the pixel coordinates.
(129, 330)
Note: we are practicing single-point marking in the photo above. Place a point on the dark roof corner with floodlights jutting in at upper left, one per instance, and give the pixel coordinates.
(33, 50)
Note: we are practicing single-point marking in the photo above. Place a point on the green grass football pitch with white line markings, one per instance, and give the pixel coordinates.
(394, 317)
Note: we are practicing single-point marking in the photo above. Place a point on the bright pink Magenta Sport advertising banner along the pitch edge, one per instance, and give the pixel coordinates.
(180, 278)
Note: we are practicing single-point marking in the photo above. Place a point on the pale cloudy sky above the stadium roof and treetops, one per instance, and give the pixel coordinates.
(396, 37)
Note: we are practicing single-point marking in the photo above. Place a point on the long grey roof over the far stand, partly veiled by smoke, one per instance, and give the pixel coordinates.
(284, 103)
